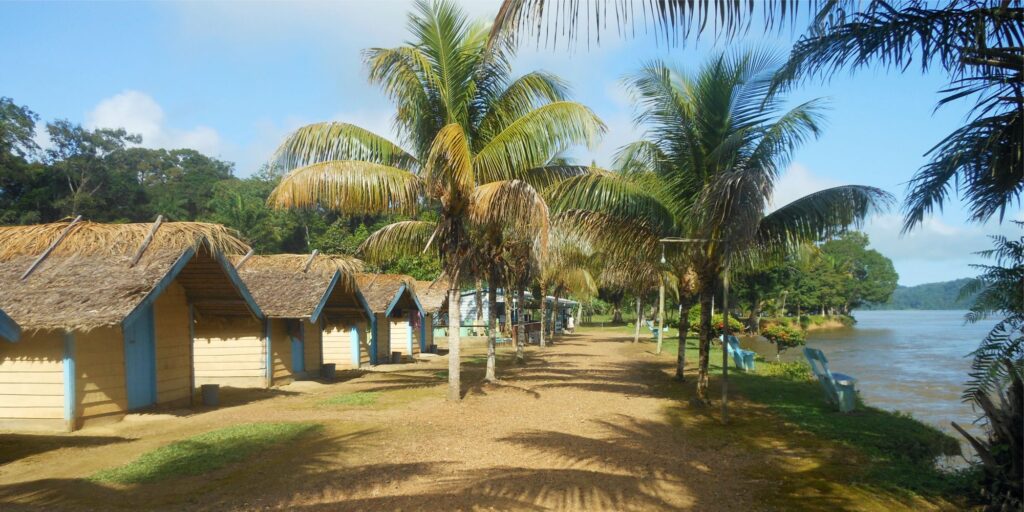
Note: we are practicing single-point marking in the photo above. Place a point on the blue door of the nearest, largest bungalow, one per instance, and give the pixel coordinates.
(141, 360)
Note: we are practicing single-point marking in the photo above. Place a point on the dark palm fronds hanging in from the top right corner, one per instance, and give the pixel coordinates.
(977, 42)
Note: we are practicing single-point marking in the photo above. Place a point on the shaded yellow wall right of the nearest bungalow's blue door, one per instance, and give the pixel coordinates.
(174, 348)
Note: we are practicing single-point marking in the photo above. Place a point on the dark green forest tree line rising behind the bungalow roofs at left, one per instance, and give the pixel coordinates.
(105, 176)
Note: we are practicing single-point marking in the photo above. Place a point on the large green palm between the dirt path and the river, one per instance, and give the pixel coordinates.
(716, 143)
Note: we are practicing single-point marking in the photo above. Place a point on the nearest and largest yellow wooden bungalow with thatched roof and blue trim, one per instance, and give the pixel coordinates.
(108, 314)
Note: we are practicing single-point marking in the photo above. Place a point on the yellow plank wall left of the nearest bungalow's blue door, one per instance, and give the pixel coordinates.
(100, 362)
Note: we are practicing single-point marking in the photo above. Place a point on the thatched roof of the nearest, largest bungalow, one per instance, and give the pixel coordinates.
(89, 280)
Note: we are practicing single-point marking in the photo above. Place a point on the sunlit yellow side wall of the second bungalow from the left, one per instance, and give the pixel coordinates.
(231, 353)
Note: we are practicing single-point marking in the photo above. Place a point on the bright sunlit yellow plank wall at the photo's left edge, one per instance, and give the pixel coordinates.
(32, 382)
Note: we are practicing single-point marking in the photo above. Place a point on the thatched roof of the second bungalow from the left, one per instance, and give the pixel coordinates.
(285, 288)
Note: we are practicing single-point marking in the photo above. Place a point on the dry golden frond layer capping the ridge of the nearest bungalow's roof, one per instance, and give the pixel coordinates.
(97, 239)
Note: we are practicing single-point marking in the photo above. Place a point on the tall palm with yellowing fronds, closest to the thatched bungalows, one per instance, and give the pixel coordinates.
(467, 124)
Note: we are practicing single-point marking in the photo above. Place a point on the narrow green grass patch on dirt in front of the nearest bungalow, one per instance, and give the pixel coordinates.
(205, 453)
